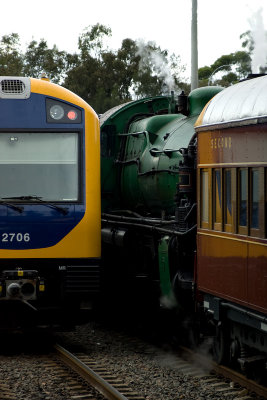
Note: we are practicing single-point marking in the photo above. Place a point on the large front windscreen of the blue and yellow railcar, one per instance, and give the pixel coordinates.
(43, 164)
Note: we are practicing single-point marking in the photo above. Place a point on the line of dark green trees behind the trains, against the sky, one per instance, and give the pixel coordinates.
(105, 78)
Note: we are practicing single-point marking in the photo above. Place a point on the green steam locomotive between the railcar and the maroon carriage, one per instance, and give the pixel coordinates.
(148, 197)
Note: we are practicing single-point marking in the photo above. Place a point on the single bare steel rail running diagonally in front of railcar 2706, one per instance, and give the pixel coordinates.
(108, 391)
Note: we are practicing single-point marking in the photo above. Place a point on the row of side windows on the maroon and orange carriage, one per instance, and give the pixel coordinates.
(237, 199)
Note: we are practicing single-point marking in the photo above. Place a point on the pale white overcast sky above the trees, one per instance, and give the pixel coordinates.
(220, 23)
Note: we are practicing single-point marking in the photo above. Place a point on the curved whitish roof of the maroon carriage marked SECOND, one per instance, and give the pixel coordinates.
(243, 103)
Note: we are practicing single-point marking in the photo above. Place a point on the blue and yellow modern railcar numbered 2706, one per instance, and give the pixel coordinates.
(49, 203)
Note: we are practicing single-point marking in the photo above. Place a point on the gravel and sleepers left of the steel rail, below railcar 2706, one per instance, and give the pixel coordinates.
(40, 377)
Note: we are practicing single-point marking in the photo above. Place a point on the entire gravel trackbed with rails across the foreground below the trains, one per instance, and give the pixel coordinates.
(122, 367)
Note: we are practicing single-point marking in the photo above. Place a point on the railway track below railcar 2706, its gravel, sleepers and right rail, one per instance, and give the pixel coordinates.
(59, 375)
